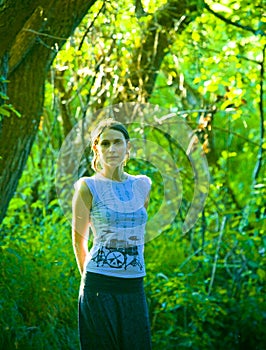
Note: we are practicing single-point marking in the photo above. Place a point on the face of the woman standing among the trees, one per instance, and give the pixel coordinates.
(112, 148)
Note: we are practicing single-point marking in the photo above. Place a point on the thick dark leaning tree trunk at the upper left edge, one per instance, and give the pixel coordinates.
(30, 35)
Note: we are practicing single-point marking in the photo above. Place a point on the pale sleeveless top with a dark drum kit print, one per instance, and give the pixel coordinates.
(118, 219)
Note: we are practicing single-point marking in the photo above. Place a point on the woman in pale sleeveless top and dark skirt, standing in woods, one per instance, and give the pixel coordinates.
(112, 204)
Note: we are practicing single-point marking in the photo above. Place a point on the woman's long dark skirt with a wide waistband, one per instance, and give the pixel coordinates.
(113, 314)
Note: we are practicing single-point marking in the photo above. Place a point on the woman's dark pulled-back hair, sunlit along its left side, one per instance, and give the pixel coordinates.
(96, 133)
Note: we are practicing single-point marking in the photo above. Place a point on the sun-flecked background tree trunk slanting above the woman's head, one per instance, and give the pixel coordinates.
(149, 56)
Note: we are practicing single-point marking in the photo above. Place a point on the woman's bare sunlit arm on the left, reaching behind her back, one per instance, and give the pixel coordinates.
(81, 205)
